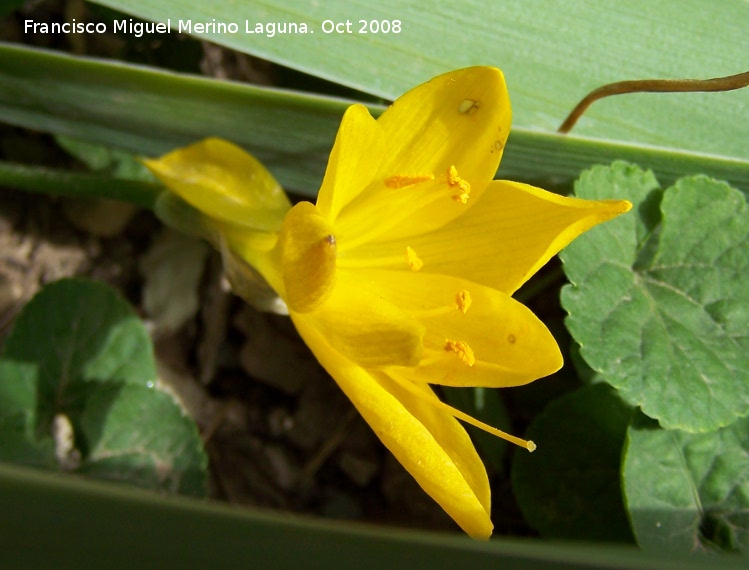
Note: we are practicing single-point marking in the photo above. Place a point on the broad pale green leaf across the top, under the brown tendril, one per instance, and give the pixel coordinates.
(552, 57)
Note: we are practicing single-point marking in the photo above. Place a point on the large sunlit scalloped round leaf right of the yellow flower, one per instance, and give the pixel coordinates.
(659, 300)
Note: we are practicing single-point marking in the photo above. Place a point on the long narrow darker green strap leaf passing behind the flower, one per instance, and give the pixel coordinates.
(291, 133)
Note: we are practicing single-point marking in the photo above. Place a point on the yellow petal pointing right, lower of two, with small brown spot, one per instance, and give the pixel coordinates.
(496, 342)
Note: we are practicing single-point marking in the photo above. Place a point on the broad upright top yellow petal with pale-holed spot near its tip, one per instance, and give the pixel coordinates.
(450, 133)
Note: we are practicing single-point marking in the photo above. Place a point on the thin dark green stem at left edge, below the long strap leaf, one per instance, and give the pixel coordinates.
(65, 183)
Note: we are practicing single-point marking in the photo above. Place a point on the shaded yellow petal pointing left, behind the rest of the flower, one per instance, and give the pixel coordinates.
(225, 183)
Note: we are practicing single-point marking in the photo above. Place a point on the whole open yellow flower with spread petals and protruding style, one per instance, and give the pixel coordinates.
(401, 275)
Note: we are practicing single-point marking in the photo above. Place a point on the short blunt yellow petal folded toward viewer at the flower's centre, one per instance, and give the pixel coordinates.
(366, 328)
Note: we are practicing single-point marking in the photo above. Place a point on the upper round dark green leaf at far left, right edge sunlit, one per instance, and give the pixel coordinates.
(77, 330)
